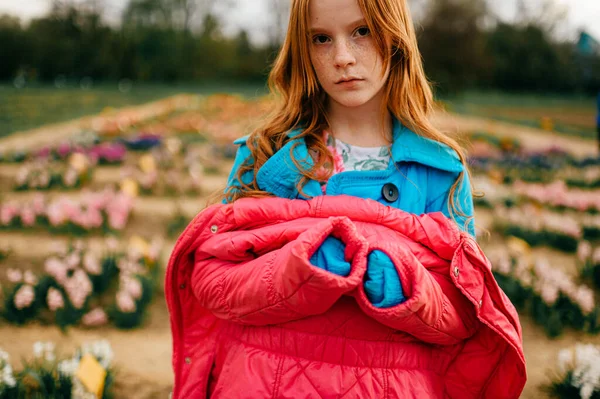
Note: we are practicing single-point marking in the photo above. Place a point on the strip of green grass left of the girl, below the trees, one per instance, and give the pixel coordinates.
(31, 107)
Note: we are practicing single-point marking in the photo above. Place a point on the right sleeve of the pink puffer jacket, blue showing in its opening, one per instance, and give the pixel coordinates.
(434, 310)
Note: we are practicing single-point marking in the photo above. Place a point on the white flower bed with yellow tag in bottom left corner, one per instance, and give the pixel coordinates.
(49, 375)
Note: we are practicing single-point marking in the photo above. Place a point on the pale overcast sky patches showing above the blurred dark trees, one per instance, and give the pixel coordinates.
(249, 14)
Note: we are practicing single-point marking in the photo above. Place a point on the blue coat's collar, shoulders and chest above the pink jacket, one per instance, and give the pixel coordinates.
(418, 181)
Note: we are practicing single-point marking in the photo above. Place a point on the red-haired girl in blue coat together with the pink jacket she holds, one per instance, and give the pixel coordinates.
(333, 287)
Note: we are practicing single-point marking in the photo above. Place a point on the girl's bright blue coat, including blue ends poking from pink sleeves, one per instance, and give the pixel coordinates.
(418, 181)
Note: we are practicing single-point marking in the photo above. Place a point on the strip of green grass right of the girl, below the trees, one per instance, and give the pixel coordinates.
(574, 115)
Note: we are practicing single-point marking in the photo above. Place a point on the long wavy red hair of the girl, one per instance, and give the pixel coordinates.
(300, 101)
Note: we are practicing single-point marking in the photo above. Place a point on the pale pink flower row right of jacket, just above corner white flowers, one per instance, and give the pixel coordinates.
(552, 298)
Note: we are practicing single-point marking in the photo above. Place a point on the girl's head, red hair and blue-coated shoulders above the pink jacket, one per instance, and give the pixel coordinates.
(353, 94)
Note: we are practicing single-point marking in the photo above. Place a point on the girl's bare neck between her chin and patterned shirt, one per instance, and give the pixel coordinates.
(362, 126)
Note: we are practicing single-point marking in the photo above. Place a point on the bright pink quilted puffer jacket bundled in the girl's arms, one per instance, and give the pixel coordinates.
(252, 318)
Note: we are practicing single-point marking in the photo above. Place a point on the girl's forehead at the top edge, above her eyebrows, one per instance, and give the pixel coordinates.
(323, 13)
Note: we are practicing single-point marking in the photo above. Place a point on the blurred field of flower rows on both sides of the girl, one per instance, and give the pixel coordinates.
(89, 217)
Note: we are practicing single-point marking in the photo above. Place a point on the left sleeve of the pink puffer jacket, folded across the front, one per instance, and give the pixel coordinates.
(280, 285)
